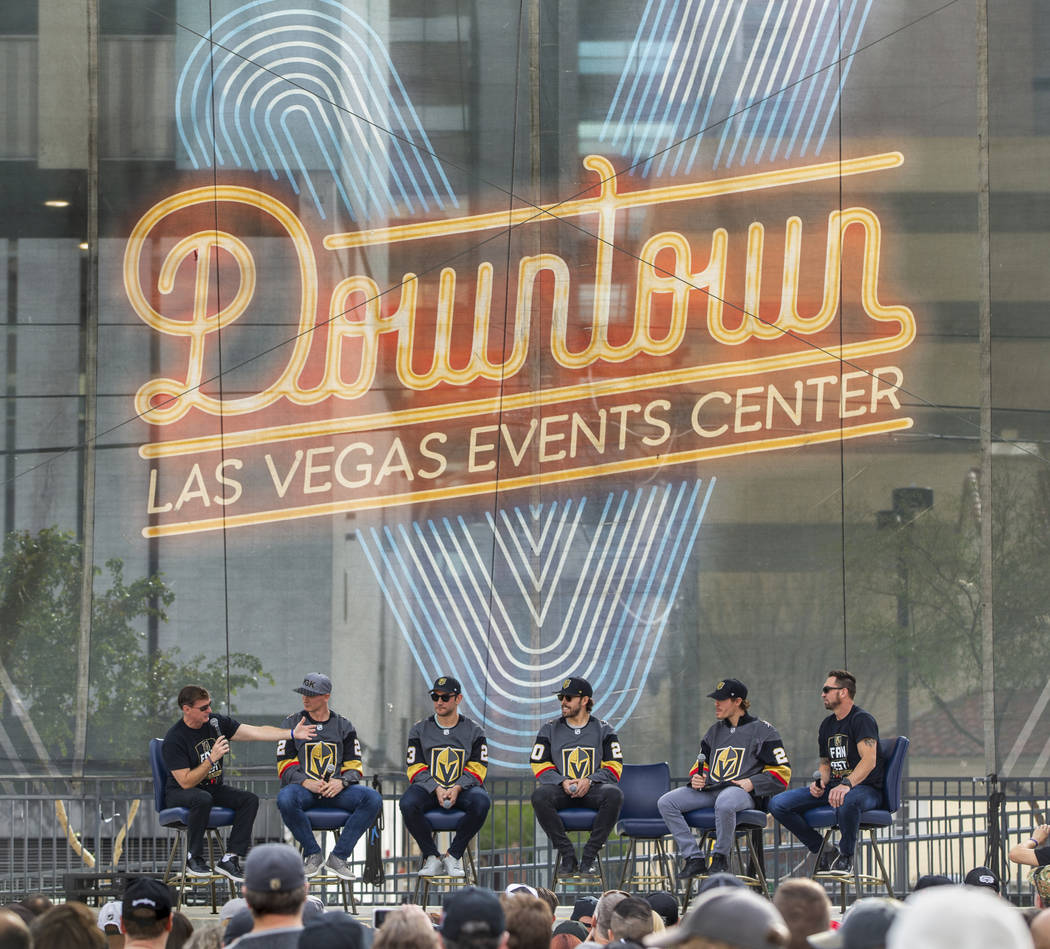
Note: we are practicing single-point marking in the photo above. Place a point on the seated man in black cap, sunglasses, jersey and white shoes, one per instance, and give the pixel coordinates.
(447, 763)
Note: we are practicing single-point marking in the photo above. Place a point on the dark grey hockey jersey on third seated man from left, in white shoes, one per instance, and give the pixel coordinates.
(445, 757)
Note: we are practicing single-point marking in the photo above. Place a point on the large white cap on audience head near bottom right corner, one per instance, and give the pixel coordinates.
(958, 918)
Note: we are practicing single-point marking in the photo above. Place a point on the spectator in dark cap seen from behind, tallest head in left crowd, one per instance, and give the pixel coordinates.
(276, 890)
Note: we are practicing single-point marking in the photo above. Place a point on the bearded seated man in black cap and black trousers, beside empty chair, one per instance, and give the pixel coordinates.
(578, 762)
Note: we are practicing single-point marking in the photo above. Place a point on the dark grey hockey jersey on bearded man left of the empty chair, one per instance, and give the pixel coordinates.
(563, 751)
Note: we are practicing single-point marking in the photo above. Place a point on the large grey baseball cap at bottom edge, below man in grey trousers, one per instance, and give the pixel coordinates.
(728, 915)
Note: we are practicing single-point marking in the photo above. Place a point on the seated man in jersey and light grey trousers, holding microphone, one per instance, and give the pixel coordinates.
(742, 764)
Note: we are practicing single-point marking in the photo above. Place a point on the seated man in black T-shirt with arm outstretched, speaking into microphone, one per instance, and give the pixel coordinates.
(194, 751)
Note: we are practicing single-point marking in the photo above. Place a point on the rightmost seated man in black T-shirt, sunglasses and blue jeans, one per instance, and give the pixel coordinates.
(851, 776)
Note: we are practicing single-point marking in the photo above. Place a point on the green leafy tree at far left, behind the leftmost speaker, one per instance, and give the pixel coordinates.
(132, 691)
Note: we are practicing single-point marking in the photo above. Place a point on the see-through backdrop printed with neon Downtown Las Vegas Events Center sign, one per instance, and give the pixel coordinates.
(656, 344)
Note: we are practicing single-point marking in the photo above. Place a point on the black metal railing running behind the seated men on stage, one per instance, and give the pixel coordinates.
(53, 828)
